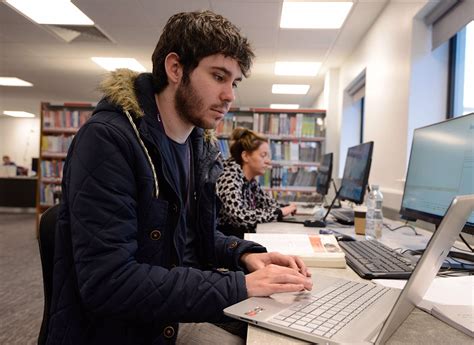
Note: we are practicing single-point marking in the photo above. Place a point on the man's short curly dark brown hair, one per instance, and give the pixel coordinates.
(194, 36)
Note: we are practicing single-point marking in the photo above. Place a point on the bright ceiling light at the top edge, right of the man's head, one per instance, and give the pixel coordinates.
(314, 15)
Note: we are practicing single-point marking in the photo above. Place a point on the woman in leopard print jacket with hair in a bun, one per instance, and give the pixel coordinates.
(243, 202)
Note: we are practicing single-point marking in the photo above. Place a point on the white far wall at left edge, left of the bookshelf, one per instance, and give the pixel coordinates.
(19, 139)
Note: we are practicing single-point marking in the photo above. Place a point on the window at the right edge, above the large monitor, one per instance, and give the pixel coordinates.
(461, 88)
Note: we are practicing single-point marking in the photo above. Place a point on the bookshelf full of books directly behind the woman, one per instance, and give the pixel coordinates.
(296, 138)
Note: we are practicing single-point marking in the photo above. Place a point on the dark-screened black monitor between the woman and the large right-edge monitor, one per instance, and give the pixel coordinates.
(356, 172)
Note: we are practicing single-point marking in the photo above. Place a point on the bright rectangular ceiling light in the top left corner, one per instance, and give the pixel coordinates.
(55, 12)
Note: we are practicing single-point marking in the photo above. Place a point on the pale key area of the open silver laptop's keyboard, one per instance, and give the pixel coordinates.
(327, 312)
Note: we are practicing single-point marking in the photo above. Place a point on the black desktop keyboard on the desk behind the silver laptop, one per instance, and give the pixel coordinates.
(371, 259)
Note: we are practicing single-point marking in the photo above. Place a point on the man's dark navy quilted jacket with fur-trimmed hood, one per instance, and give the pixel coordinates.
(118, 274)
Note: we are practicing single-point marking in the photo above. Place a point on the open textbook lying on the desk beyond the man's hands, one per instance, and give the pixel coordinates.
(314, 250)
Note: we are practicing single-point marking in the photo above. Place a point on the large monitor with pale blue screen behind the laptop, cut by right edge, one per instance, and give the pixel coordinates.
(441, 166)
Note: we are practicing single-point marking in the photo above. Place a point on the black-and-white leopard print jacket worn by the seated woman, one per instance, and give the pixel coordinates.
(244, 203)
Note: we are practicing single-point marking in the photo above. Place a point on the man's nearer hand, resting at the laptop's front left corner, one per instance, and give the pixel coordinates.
(274, 279)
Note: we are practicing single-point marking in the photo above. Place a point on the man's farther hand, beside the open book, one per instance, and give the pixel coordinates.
(255, 261)
